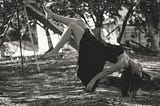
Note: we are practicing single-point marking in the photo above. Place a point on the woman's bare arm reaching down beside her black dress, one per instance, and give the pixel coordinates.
(122, 63)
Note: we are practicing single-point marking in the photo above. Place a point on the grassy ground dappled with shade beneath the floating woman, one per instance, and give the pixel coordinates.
(58, 85)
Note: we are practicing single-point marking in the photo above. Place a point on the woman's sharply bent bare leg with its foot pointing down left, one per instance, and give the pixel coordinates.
(73, 29)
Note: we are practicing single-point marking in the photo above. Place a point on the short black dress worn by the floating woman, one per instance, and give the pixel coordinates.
(92, 56)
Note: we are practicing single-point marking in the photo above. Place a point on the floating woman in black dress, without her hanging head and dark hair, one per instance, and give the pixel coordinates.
(92, 53)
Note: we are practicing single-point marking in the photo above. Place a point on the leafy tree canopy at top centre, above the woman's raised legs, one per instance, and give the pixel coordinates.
(95, 8)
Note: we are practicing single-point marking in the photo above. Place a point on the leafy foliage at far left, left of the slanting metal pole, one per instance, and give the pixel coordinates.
(13, 11)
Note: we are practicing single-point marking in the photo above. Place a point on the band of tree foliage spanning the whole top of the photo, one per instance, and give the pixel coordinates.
(145, 14)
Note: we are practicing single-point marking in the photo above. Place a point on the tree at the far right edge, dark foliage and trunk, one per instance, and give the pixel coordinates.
(150, 9)
